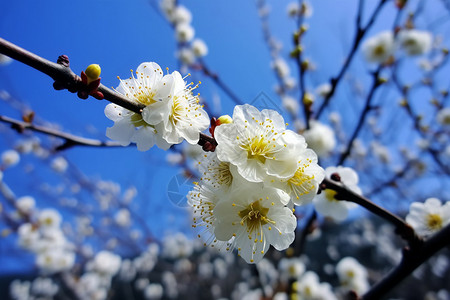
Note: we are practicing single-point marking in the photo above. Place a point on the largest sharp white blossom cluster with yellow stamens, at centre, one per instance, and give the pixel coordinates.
(248, 187)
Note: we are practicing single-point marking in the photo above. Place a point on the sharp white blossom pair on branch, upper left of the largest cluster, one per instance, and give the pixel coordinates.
(171, 113)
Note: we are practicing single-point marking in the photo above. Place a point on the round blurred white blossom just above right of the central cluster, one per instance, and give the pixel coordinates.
(320, 138)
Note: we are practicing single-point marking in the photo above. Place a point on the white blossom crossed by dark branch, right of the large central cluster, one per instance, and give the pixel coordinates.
(326, 203)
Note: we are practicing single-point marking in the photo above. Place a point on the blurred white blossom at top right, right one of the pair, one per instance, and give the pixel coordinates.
(415, 42)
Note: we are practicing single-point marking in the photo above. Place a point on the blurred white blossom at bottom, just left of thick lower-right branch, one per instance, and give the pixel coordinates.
(352, 275)
